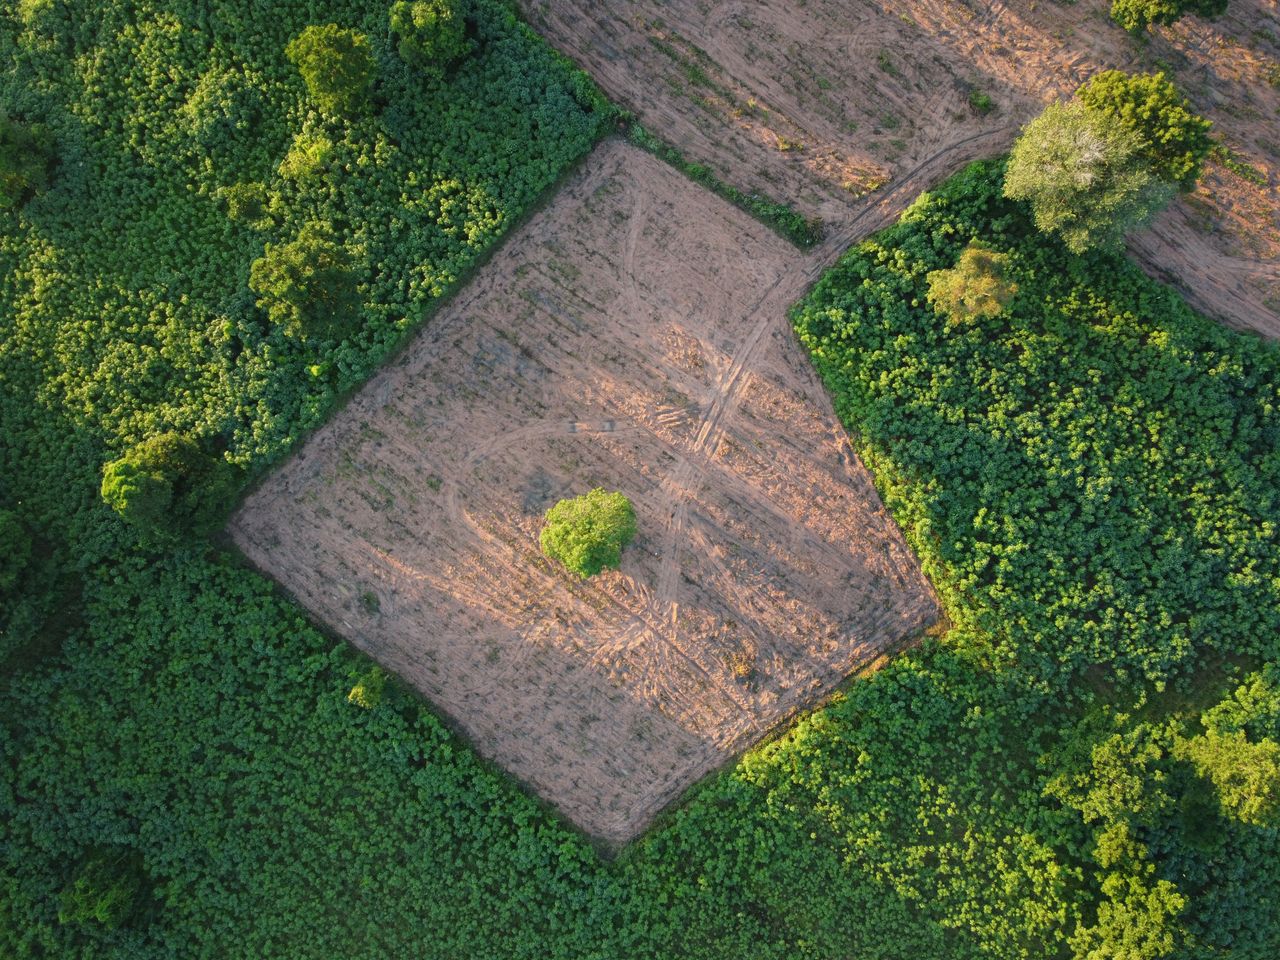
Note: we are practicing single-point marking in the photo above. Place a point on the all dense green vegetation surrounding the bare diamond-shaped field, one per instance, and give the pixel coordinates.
(1086, 764)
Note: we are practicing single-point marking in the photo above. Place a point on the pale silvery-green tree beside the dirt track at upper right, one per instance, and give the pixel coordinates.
(1084, 179)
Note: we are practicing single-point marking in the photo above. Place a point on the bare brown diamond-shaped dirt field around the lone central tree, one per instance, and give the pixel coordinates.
(632, 336)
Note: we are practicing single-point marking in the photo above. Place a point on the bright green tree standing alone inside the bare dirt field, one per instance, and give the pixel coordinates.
(588, 533)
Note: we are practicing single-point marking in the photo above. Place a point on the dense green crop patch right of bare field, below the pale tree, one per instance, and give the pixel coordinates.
(1094, 477)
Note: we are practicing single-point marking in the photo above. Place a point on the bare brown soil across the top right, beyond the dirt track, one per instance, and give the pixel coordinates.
(821, 104)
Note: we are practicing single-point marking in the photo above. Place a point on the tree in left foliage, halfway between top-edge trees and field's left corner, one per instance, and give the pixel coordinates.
(308, 285)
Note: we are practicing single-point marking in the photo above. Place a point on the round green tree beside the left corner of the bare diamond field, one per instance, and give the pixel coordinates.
(167, 487)
